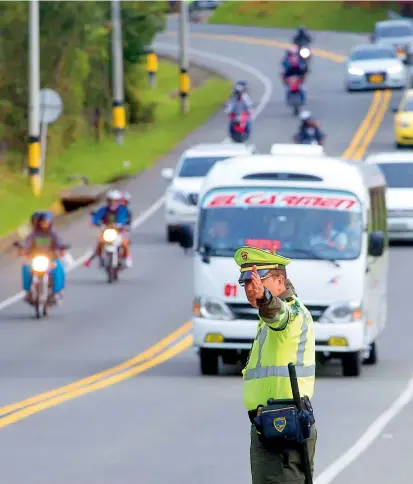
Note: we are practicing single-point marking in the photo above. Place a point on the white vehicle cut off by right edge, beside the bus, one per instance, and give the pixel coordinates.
(398, 170)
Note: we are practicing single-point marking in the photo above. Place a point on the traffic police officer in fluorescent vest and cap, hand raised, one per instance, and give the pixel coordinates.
(285, 334)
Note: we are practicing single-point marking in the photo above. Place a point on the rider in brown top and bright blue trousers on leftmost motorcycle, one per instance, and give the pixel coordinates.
(45, 241)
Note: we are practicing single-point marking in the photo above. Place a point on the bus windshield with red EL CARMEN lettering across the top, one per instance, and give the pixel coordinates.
(301, 223)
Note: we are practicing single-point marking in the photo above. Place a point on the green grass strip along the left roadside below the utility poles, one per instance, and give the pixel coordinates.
(104, 161)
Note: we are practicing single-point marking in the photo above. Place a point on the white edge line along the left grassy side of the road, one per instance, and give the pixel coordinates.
(268, 89)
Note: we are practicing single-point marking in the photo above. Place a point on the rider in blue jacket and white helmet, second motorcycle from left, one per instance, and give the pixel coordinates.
(114, 212)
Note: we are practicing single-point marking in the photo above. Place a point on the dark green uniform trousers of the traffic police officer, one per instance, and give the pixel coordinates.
(273, 466)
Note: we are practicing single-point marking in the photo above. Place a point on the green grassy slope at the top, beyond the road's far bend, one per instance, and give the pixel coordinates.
(325, 15)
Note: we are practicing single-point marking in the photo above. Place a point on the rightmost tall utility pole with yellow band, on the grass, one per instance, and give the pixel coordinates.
(184, 80)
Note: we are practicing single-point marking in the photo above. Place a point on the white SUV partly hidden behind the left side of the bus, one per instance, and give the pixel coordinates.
(181, 197)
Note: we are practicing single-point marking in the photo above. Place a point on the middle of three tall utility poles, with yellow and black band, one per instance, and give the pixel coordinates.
(118, 108)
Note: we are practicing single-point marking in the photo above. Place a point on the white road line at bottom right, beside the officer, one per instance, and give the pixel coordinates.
(369, 436)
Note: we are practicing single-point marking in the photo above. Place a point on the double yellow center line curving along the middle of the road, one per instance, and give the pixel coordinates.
(173, 344)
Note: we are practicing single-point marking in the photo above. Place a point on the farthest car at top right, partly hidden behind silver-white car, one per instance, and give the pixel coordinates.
(397, 34)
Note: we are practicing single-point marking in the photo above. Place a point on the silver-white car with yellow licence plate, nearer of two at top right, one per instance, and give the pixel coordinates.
(375, 67)
